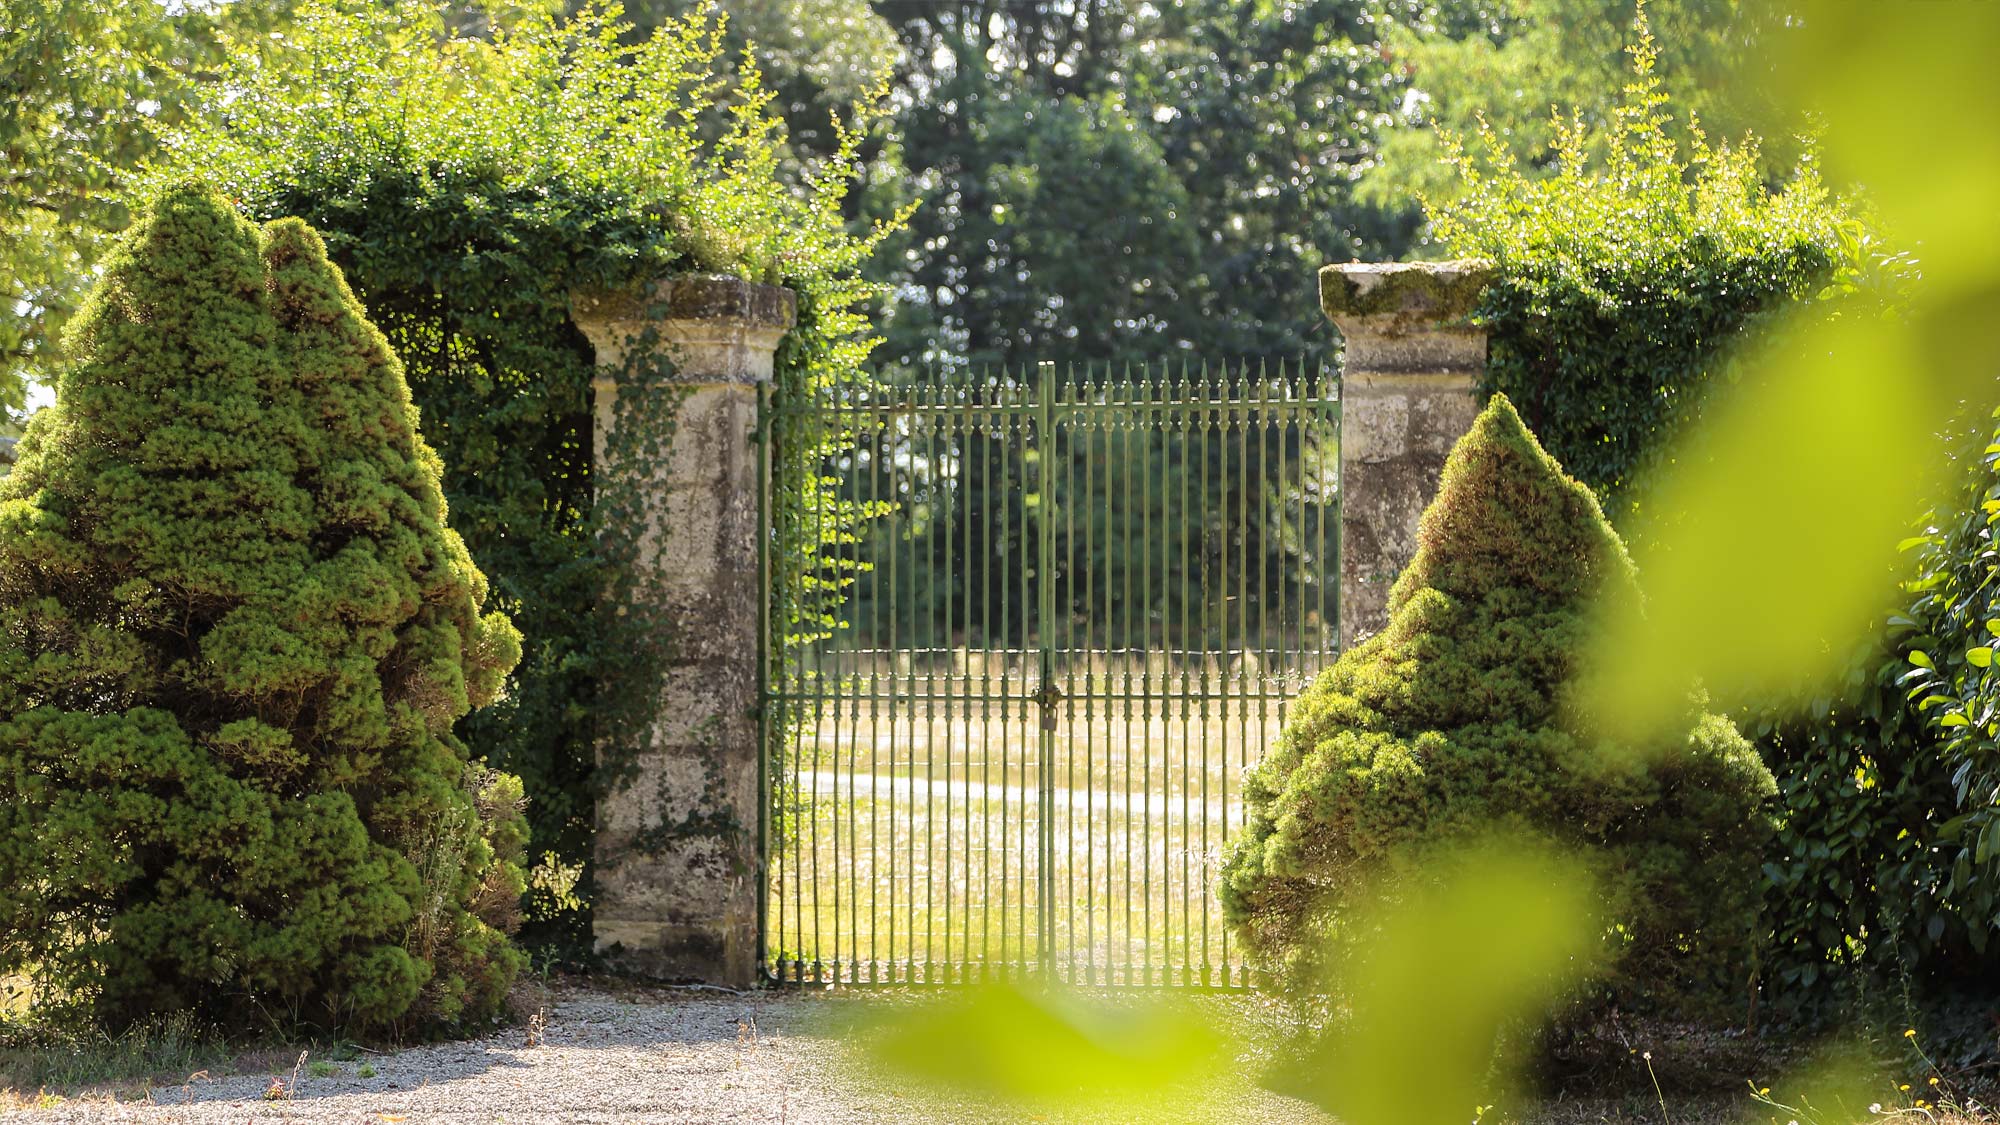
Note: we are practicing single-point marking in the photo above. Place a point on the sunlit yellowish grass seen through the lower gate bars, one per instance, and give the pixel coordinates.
(917, 838)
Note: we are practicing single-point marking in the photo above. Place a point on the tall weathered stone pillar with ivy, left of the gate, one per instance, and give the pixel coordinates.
(677, 850)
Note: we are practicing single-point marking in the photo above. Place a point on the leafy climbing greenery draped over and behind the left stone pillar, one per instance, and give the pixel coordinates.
(469, 187)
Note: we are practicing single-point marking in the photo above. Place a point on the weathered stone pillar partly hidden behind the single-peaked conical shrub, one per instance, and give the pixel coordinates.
(1409, 393)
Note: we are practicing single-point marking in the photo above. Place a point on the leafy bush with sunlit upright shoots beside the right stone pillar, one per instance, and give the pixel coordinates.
(1627, 273)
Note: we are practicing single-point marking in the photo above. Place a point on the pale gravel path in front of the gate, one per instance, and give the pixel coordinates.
(633, 1058)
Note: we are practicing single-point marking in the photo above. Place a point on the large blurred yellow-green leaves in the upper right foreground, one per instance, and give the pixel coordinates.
(1775, 543)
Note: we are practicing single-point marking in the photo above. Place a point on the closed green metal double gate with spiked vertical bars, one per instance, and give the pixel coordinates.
(1071, 622)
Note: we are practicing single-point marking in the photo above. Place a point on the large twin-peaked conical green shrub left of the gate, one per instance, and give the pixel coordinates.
(235, 636)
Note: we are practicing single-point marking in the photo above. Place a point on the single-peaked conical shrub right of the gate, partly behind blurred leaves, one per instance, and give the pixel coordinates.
(1455, 722)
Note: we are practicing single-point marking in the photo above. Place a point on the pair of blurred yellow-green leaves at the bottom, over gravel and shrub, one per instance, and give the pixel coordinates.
(1453, 974)
